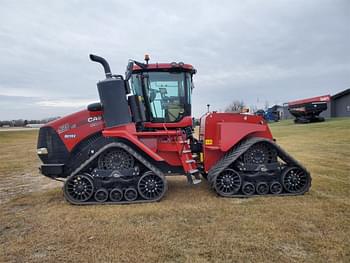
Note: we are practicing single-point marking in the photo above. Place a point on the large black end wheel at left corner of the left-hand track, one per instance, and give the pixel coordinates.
(78, 188)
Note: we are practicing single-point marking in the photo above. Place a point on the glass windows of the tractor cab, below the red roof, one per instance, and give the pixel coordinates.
(167, 94)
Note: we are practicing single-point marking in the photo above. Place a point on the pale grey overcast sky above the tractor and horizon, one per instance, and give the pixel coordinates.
(254, 51)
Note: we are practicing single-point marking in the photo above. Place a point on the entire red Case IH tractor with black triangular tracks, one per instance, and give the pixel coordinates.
(120, 149)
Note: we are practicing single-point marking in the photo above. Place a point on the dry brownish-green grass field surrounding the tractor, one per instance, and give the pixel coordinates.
(191, 224)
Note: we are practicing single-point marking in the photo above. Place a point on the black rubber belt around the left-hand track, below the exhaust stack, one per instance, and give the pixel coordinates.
(138, 157)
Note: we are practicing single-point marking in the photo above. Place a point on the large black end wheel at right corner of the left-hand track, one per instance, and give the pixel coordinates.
(151, 186)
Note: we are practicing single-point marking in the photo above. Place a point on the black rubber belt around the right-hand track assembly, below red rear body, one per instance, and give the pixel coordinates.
(232, 155)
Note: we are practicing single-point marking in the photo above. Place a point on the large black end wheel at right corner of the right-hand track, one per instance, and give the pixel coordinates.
(295, 180)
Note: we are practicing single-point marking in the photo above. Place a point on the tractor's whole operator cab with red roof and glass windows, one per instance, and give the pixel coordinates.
(164, 89)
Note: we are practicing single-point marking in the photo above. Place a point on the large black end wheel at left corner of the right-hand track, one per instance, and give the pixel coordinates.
(228, 182)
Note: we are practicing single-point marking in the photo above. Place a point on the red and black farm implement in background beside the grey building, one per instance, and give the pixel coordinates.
(308, 110)
